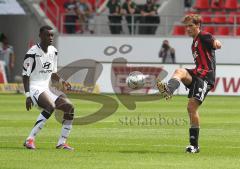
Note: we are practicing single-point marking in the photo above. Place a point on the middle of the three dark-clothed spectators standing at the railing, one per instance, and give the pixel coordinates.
(129, 9)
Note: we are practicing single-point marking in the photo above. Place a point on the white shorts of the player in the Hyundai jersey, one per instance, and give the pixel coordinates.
(52, 93)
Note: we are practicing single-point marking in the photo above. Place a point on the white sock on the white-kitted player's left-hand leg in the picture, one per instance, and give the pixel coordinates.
(37, 127)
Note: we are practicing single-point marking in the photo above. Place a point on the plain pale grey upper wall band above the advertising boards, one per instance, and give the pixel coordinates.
(137, 49)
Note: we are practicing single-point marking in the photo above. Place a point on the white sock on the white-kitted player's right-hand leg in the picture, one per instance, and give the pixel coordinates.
(66, 128)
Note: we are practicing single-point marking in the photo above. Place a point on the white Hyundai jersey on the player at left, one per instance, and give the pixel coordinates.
(39, 65)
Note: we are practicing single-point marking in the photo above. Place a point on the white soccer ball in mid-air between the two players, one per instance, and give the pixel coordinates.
(135, 80)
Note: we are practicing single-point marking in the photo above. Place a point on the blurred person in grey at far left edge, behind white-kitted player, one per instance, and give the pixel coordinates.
(7, 56)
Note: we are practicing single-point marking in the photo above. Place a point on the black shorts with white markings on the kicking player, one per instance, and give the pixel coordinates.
(199, 87)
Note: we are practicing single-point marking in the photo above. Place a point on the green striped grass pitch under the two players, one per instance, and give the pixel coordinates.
(125, 140)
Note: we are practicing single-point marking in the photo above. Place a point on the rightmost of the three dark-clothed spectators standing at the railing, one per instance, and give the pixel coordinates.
(149, 16)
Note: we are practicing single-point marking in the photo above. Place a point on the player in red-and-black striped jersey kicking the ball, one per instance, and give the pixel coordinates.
(199, 80)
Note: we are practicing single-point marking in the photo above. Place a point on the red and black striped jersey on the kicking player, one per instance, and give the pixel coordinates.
(204, 57)
